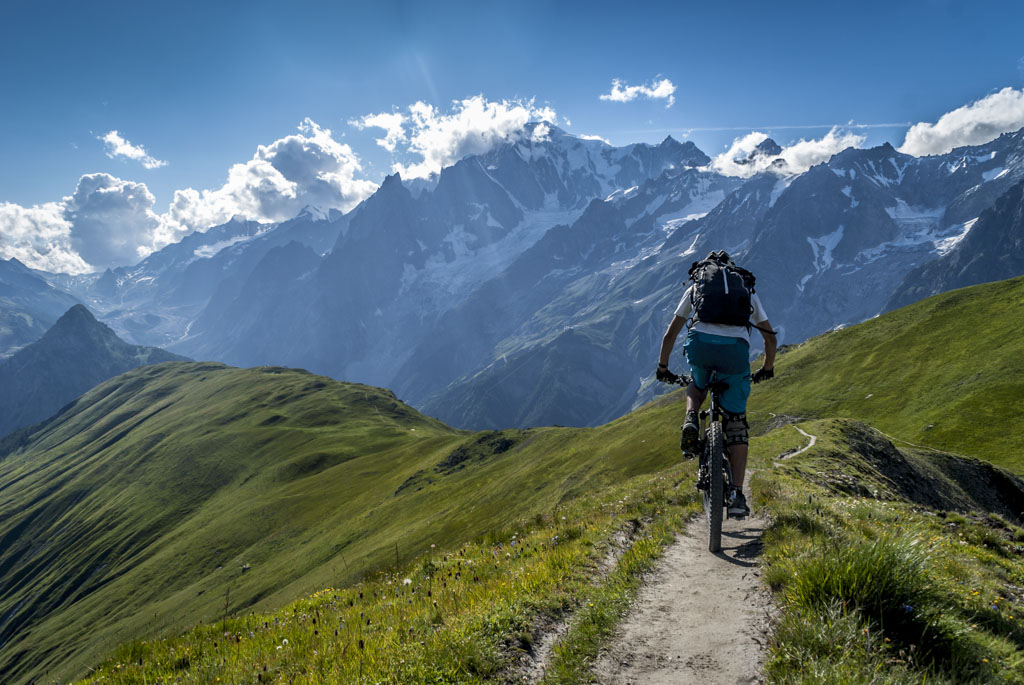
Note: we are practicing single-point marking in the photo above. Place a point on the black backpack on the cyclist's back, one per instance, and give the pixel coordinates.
(721, 291)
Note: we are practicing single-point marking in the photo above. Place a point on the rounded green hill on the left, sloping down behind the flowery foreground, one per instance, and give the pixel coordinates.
(133, 512)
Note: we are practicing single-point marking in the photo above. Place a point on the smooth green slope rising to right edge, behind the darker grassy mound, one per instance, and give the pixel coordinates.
(945, 373)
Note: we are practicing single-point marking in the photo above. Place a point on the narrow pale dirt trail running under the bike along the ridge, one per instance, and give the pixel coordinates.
(701, 618)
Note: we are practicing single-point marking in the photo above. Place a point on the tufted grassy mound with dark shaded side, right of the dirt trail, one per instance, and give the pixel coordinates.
(876, 577)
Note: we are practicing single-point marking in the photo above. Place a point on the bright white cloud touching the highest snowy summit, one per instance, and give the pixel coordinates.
(473, 126)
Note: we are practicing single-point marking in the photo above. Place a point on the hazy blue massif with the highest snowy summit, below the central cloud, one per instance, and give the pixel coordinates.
(406, 260)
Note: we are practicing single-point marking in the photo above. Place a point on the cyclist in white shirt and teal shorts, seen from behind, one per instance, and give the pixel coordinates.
(726, 350)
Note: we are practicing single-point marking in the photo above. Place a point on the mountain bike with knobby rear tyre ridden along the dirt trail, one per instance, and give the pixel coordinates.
(714, 470)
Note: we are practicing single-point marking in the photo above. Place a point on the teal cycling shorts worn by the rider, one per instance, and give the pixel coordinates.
(730, 357)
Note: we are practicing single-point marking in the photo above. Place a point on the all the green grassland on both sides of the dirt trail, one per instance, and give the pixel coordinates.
(189, 523)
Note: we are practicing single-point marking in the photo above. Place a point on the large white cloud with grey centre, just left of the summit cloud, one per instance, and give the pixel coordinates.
(309, 168)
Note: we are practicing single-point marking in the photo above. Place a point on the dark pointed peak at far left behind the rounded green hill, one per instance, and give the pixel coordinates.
(76, 354)
